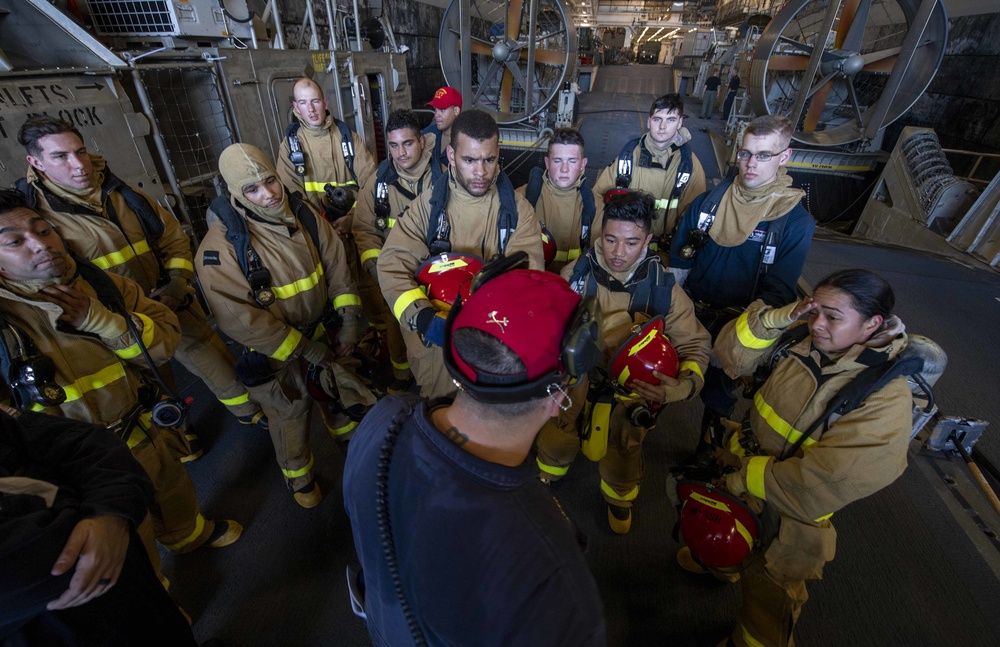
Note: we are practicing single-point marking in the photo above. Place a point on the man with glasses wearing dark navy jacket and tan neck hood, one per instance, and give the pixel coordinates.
(744, 240)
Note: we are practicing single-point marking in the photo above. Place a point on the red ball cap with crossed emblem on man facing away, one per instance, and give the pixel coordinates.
(528, 311)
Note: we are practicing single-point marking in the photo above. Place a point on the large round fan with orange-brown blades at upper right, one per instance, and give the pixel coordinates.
(842, 70)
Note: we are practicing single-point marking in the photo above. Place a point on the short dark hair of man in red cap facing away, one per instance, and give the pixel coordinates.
(485, 353)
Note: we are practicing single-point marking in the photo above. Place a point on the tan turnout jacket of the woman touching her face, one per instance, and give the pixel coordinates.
(861, 452)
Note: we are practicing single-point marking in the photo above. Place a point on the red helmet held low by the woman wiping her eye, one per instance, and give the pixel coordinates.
(721, 531)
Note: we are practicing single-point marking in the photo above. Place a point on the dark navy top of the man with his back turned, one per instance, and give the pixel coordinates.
(485, 553)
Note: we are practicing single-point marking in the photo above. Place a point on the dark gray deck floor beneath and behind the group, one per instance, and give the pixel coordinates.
(915, 563)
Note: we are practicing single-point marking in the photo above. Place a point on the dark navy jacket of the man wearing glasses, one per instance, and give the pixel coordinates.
(724, 276)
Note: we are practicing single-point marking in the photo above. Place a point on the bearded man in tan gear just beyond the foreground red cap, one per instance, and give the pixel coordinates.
(471, 209)
